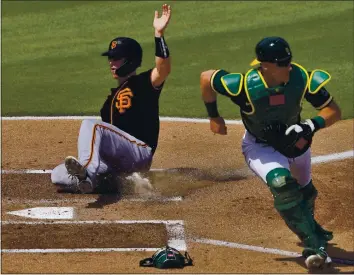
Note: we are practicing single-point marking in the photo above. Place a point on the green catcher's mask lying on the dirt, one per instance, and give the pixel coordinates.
(167, 257)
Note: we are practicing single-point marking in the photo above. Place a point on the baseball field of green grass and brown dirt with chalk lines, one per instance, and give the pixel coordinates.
(204, 200)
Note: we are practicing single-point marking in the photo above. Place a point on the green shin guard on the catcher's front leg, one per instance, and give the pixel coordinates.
(289, 202)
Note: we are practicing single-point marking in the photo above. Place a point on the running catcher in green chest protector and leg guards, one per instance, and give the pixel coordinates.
(276, 143)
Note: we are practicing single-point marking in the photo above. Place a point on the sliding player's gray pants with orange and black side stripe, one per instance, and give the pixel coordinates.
(104, 148)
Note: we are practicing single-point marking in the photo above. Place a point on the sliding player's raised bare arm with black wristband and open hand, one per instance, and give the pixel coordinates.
(162, 59)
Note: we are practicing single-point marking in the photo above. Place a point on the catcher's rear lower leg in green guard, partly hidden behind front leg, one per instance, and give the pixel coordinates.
(310, 194)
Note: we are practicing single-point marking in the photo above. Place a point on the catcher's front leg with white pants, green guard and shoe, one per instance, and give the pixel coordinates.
(274, 169)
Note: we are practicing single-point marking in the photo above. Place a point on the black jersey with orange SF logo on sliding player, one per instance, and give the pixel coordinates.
(134, 108)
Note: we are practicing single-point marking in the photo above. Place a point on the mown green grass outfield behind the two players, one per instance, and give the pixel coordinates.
(51, 63)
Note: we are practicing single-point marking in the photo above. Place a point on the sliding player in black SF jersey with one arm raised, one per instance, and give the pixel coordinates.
(126, 139)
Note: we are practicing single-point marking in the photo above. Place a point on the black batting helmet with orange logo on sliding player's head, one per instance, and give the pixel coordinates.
(128, 49)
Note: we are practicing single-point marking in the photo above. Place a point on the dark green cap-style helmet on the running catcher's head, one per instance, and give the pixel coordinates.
(274, 50)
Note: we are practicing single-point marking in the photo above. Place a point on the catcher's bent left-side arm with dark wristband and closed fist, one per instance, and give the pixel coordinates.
(217, 123)
